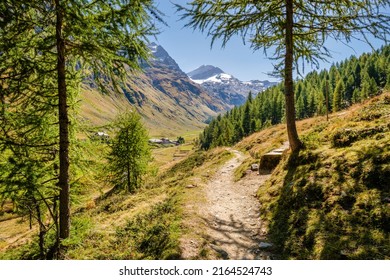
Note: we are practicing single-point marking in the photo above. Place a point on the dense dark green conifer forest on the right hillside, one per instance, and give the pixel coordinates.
(345, 83)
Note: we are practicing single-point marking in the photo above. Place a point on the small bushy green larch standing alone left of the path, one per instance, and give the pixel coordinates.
(130, 152)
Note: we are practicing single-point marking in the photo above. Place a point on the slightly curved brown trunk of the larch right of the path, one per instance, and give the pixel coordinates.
(295, 143)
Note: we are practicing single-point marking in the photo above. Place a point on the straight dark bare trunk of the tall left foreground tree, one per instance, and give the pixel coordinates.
(64, 217)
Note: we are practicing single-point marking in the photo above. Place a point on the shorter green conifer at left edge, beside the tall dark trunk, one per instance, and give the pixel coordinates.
(28, 166)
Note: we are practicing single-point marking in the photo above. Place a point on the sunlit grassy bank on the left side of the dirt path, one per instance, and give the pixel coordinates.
(146, 224)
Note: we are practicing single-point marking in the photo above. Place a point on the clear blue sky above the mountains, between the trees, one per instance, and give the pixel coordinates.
(191, 49)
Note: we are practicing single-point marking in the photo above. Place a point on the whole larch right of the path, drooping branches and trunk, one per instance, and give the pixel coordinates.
(289, 31)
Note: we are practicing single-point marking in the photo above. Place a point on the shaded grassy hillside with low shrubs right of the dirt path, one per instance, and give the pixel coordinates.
(332, 200)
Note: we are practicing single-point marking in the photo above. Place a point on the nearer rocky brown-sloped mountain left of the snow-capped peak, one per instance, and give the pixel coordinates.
(168, 100)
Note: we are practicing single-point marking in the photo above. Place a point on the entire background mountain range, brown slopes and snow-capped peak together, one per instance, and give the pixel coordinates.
(170, 101)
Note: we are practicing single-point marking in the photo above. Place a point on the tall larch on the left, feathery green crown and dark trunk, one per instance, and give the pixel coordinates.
(65, 42)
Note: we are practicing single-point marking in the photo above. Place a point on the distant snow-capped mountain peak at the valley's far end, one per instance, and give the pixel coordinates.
(225, 86)
